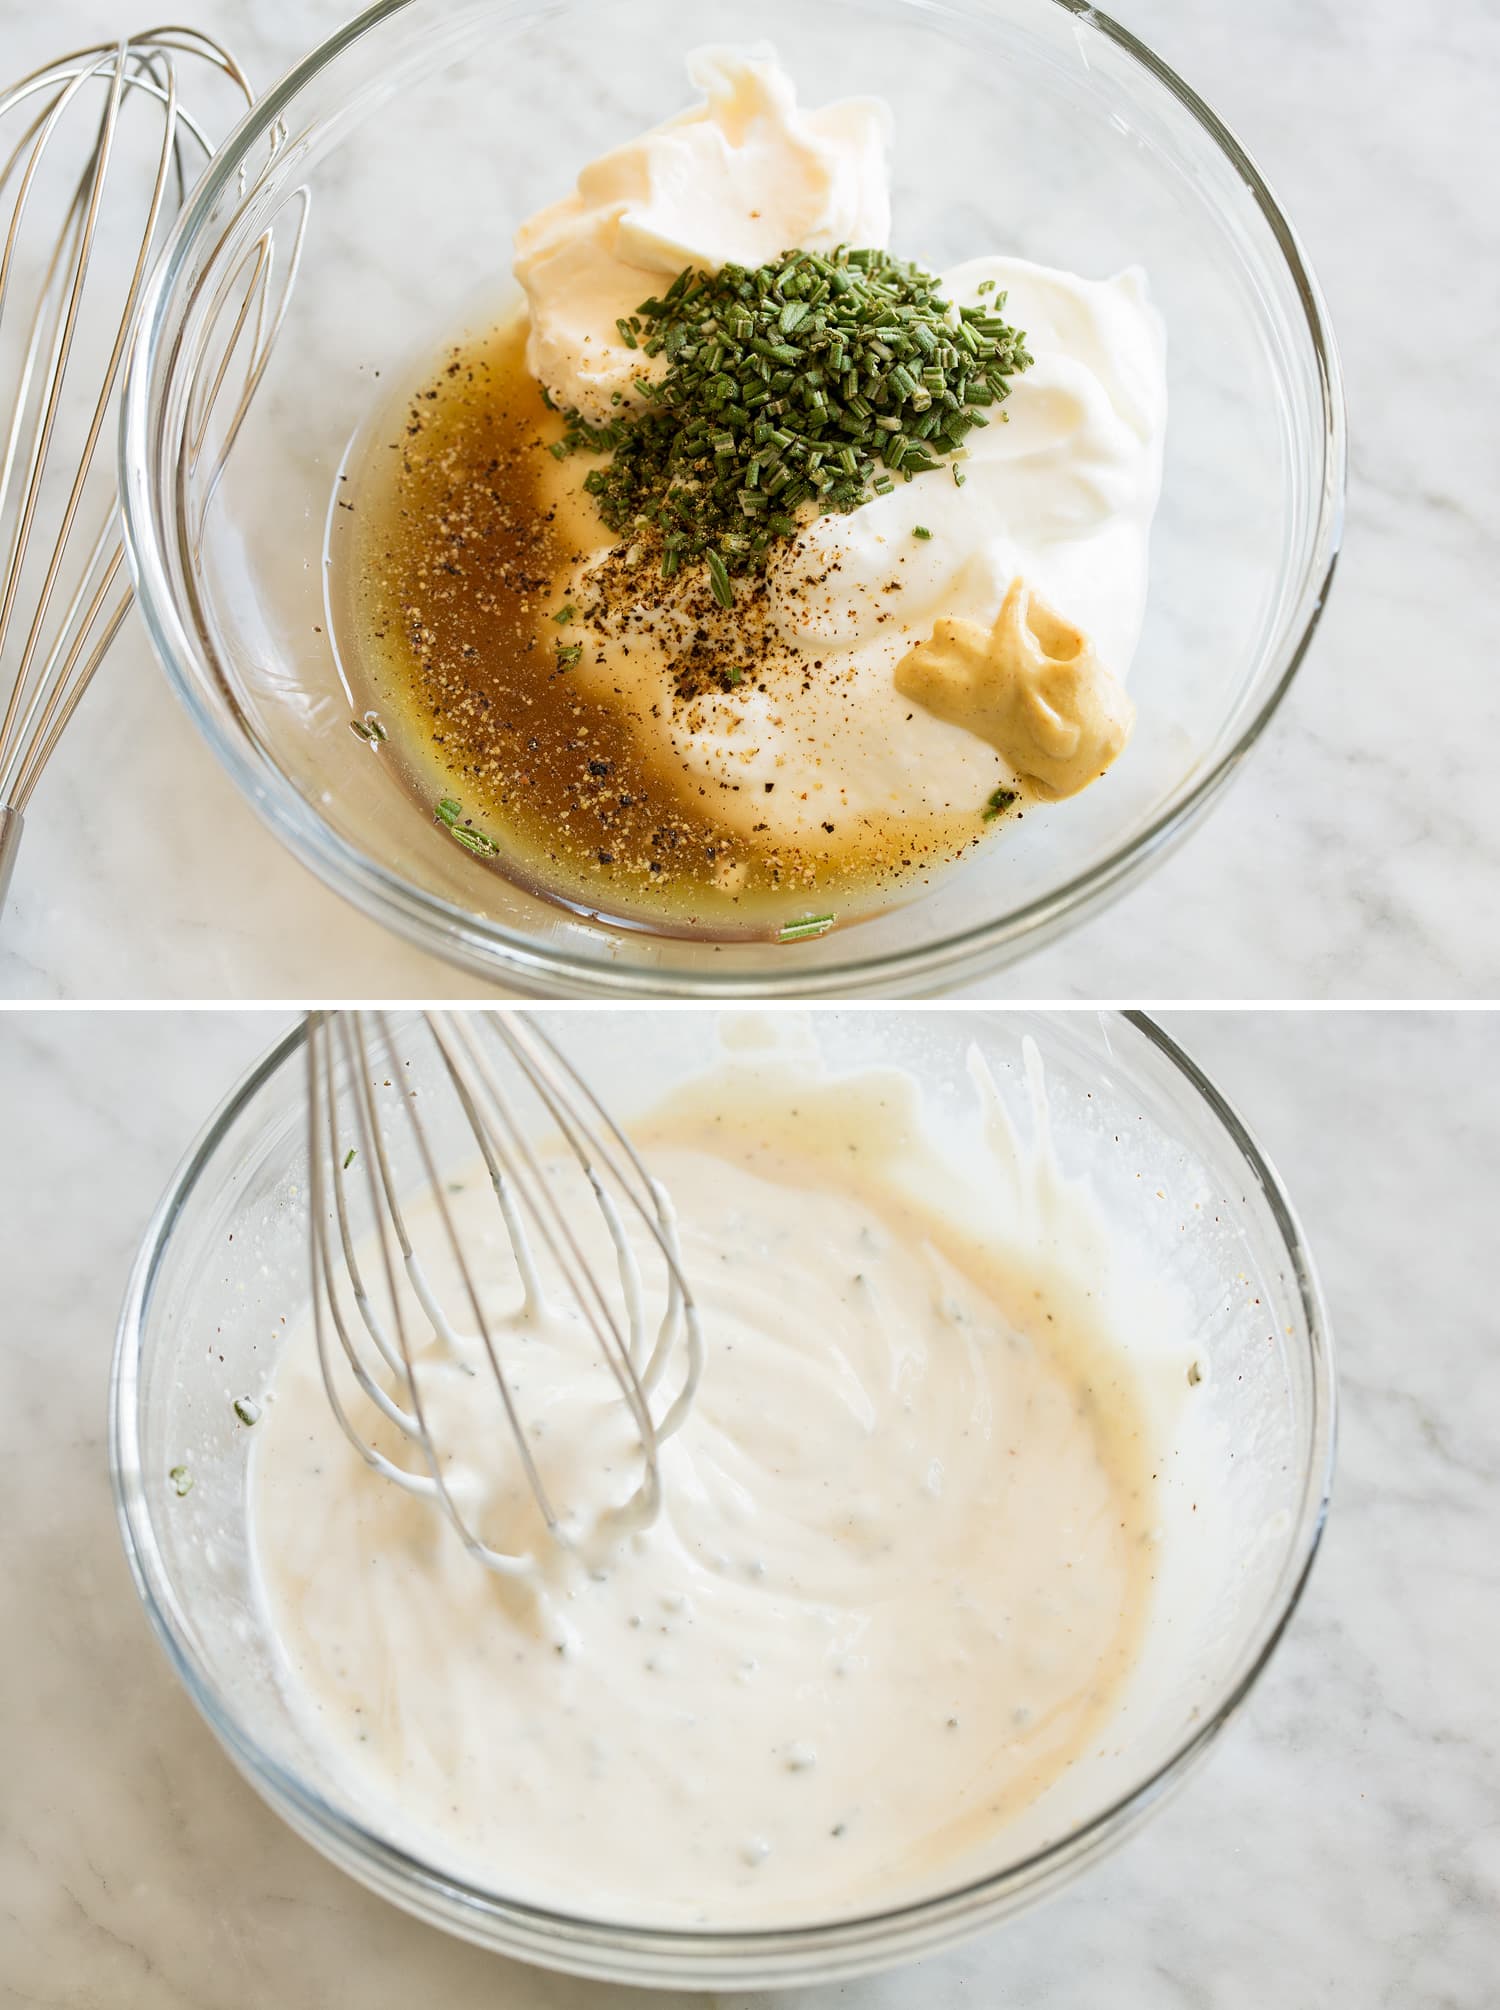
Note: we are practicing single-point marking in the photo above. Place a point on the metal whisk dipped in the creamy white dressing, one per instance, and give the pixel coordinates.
(375, 1310)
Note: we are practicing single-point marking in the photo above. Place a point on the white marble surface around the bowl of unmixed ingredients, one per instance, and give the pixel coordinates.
(1360, 853)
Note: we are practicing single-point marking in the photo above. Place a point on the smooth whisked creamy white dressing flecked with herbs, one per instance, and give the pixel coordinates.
(896, 1589)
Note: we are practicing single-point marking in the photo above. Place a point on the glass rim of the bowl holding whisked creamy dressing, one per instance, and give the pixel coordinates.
(689, 1957)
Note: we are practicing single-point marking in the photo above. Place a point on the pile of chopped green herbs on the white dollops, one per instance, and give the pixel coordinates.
(815, 379)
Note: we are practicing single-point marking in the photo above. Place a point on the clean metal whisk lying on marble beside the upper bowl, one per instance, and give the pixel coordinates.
(79, 244)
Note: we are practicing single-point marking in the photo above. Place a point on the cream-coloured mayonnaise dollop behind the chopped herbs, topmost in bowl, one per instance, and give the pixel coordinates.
(737, 180)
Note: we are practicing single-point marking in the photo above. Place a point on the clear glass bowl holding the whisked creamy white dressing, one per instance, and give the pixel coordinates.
(1173, 1171)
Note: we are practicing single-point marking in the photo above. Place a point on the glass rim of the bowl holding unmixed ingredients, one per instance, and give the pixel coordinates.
(526, 962)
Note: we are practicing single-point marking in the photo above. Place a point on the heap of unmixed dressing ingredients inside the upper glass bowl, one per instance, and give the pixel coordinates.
(749, 574)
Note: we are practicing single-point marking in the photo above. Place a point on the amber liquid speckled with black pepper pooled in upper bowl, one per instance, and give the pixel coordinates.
(447, 556)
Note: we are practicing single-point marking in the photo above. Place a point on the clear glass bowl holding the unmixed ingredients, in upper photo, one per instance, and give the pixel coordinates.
(397, 162)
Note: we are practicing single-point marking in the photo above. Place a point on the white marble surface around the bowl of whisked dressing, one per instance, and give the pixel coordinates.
(1340, 1848)
